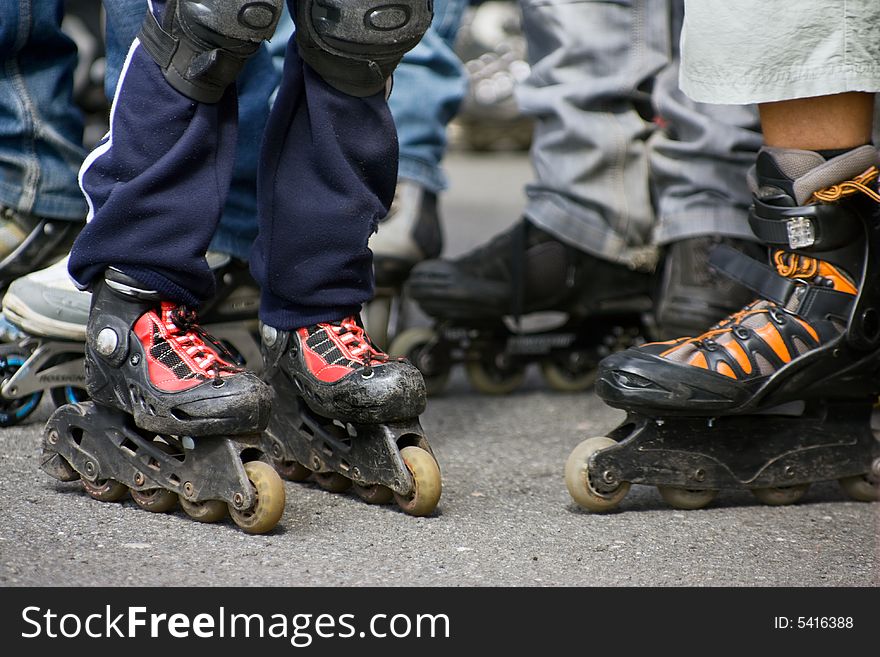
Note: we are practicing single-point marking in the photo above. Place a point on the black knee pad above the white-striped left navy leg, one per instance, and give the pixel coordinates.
(202, 45)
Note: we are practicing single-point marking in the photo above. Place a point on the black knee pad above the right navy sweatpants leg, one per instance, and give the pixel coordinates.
(355, 45)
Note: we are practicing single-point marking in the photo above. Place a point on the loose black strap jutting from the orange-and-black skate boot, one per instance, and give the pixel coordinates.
(807, 301)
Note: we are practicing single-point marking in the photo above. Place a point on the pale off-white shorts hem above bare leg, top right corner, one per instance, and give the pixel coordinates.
(755, 51)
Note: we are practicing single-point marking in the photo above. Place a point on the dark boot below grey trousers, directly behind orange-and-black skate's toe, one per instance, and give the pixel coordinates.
(692, 294)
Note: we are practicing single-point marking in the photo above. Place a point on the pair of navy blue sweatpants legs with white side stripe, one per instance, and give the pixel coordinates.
(157, 183)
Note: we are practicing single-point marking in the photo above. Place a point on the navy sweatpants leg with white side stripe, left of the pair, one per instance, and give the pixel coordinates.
(143, 172)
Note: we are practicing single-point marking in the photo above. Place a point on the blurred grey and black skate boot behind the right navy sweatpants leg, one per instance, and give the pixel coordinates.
(409, 234)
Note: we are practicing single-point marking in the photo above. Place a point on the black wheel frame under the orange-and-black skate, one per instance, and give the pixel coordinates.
(829, 441)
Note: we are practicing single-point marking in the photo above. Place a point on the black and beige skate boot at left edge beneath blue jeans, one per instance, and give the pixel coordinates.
(29, 243)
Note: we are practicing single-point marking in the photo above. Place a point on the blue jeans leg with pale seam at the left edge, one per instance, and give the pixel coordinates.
(40, 128)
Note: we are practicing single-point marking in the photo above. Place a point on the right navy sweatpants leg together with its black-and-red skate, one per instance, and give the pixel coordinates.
(328, 170)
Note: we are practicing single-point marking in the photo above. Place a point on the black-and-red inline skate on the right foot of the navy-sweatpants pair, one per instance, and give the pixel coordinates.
(347, 414)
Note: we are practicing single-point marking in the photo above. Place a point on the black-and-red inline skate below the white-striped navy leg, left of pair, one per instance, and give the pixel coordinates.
(172, 417)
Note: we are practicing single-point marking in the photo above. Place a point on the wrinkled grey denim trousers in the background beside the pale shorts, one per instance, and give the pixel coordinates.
(621, 159)
